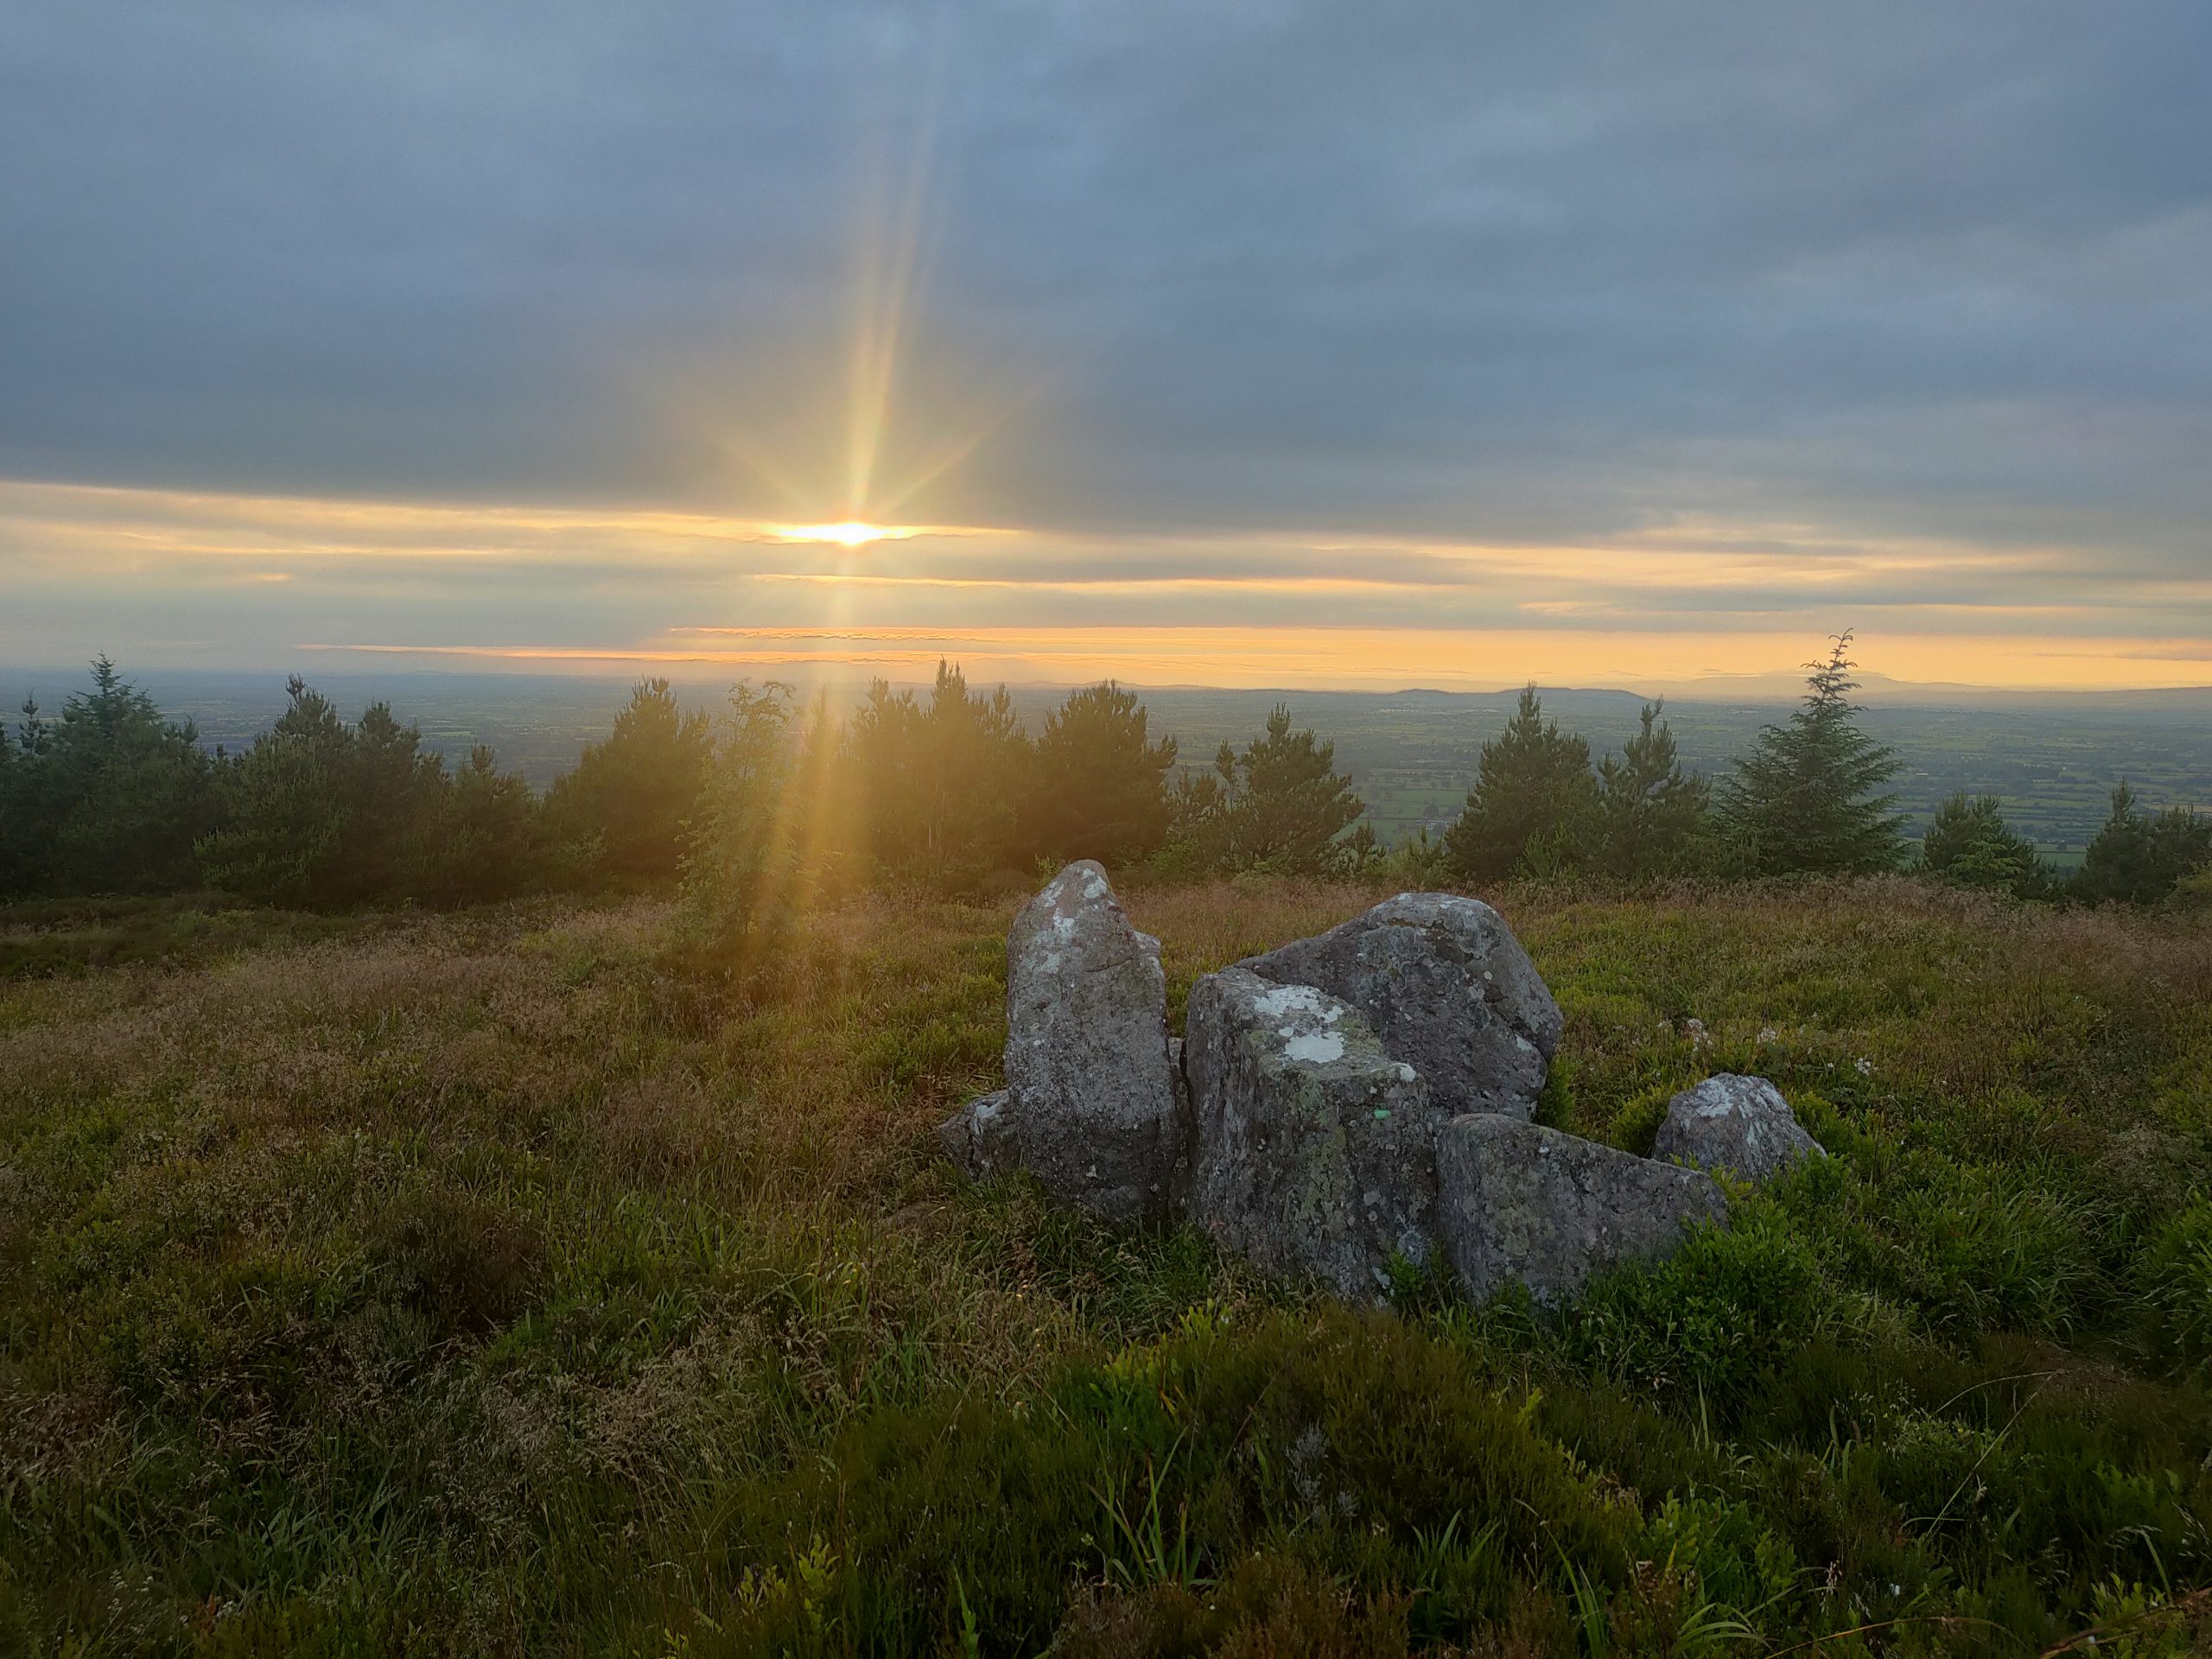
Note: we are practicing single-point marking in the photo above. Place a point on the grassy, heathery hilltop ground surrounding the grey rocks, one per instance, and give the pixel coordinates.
(492, 1284)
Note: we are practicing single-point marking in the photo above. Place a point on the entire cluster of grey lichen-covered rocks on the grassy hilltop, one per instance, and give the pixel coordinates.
(1342, 1105)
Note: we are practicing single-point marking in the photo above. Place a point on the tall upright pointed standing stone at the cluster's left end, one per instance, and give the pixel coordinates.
(1092, 1094)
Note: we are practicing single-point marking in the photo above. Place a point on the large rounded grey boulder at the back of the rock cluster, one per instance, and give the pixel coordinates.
(1448, 990)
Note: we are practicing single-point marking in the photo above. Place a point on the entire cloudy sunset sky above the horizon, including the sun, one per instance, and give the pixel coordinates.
(1244, 342)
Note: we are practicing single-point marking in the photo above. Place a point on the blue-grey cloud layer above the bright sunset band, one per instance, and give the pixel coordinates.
(1397, 269)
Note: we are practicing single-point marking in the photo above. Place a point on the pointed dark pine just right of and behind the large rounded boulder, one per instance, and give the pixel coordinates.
(1534, 806)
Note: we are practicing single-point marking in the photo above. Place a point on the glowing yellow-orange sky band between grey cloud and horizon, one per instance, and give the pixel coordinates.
(1671, 607)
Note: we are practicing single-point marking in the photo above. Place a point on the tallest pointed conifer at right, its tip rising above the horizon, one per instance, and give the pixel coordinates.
(1811, 795)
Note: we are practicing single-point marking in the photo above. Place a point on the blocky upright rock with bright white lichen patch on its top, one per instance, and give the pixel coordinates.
(1315, 1149)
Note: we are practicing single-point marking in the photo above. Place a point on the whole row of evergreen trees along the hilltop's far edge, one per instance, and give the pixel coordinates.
(771, 800)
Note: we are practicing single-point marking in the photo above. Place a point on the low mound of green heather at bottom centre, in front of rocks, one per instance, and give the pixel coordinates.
(1373, 1454)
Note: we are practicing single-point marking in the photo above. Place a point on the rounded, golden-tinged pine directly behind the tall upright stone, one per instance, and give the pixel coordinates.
(1098, 786)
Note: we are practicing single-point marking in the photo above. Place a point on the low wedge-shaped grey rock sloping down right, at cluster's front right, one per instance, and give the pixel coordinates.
(1530, 1204)
